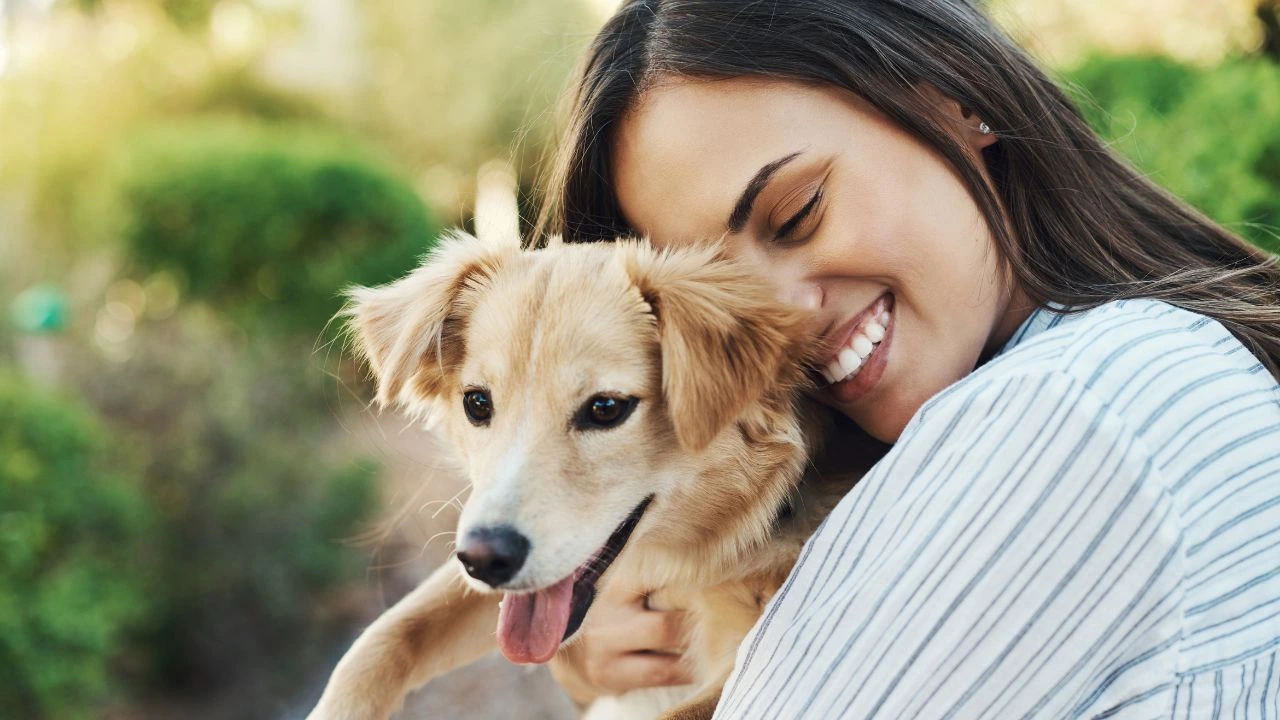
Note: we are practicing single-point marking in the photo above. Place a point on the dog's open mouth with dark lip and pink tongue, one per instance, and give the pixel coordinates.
(533, 626)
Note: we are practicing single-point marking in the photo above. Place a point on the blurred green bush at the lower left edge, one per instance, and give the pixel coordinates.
(70, 555)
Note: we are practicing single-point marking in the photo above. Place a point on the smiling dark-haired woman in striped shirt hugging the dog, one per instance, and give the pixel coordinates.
(1081, 511)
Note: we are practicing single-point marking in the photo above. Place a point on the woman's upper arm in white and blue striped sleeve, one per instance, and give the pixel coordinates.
(1014, 555)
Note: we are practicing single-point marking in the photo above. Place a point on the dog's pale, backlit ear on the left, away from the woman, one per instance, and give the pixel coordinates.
(410, 331)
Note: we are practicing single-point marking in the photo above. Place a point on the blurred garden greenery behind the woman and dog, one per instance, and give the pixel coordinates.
(190, 184)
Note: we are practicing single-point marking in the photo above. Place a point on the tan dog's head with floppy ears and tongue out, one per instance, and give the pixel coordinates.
(582, 386)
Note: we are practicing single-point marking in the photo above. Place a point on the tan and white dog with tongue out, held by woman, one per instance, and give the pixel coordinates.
(621, 413)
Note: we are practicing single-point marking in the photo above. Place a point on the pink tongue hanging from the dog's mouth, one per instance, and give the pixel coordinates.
(531, 627)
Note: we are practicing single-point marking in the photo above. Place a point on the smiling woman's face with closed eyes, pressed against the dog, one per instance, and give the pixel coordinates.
(849, 216)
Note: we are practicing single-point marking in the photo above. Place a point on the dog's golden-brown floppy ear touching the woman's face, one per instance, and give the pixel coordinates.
(725, 340)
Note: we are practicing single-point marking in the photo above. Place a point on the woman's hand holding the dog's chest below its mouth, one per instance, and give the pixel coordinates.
(623, 646)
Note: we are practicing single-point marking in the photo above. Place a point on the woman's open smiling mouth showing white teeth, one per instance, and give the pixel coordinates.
(858, 363)
